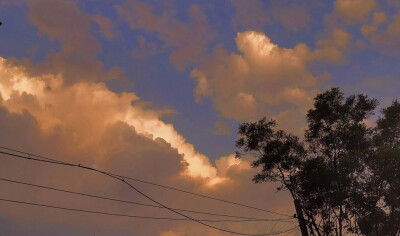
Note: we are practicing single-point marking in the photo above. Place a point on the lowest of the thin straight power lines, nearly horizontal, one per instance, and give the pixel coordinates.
(111, 214)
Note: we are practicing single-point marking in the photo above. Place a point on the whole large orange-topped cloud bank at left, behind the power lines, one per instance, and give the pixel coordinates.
(87, 123)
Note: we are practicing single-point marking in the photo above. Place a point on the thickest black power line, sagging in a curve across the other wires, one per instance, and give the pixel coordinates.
(134, 188)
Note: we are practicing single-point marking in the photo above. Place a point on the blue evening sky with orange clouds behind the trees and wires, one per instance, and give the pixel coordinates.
(157, 89)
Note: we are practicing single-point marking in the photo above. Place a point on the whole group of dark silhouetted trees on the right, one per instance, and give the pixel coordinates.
(344, 174)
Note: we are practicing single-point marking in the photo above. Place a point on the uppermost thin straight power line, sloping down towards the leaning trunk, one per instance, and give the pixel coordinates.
(161, 186)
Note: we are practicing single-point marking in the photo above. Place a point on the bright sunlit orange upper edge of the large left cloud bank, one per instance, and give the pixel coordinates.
(77, 108)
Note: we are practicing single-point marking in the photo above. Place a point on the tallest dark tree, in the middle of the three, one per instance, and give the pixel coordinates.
(338, 141)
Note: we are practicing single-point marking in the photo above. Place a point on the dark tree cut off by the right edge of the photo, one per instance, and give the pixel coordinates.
(382, 192)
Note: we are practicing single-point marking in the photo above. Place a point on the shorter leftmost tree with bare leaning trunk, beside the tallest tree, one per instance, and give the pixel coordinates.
(280, 155)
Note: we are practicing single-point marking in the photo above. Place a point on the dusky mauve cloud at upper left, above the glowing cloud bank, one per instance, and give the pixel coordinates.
(63, 21)
